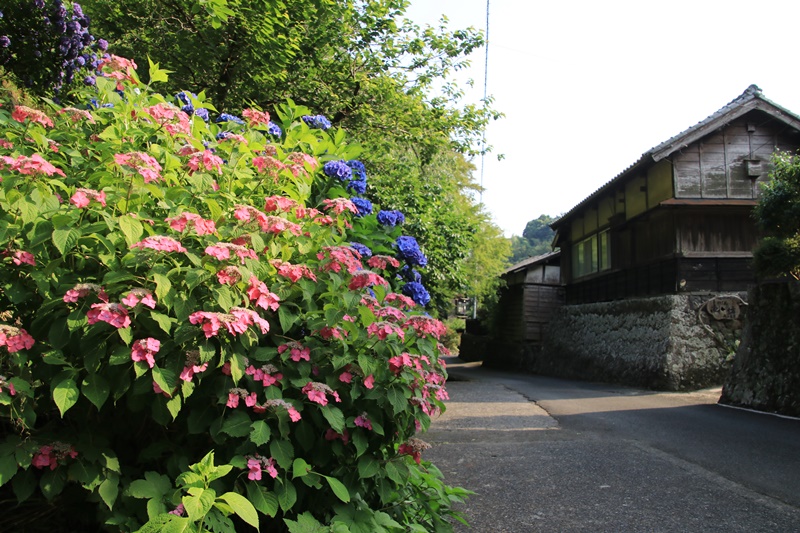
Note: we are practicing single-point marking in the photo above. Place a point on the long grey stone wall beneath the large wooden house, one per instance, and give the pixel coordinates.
(675, 342)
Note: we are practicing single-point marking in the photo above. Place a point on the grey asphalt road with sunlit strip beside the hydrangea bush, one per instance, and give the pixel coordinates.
(551, 455)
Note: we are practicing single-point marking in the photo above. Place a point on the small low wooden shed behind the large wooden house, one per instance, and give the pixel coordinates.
(533, 291)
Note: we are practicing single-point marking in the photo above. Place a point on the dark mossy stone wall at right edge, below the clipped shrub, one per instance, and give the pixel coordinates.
(766, 371)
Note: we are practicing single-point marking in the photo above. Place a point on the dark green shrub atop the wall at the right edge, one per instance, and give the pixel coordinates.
(778, 216)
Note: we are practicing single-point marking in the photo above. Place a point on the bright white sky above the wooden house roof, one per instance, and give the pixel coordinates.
(587, 86)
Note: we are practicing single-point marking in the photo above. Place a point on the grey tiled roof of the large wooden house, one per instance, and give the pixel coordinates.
(748, 100)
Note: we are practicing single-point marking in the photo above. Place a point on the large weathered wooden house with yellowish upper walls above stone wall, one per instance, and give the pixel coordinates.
(678, 219)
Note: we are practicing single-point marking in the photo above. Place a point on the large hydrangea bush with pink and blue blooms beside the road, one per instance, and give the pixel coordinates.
(202, 328)
